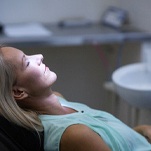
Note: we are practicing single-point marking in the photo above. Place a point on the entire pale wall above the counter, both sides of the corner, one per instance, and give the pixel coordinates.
(52, 11)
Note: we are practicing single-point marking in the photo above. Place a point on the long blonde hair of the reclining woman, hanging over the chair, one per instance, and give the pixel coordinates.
(8, 105)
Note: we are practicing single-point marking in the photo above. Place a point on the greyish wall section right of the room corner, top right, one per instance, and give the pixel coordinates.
(139, 12)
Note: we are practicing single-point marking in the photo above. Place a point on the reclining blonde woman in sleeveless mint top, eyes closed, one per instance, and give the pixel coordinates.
(28, 100)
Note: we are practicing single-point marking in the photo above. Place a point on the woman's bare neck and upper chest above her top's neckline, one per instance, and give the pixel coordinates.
(46, 105)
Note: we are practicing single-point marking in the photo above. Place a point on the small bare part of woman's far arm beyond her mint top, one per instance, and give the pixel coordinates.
(144, 130)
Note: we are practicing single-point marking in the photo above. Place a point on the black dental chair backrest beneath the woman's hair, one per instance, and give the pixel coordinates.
(16, 138)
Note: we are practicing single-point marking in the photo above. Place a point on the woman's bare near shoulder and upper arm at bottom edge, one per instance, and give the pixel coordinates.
(80, 137)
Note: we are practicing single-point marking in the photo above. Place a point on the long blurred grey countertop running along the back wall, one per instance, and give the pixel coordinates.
(61, 36)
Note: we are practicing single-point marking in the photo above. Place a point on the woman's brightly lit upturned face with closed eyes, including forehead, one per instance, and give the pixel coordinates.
(31, 73)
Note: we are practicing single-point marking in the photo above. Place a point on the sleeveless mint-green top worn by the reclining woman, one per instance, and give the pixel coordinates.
(116, 134)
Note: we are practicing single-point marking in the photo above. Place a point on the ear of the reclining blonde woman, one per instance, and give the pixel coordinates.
(19, 93)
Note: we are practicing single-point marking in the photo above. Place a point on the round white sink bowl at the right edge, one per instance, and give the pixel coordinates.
(133, 84)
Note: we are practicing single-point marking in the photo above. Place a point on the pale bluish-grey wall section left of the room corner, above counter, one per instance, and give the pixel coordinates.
(51, 10)
